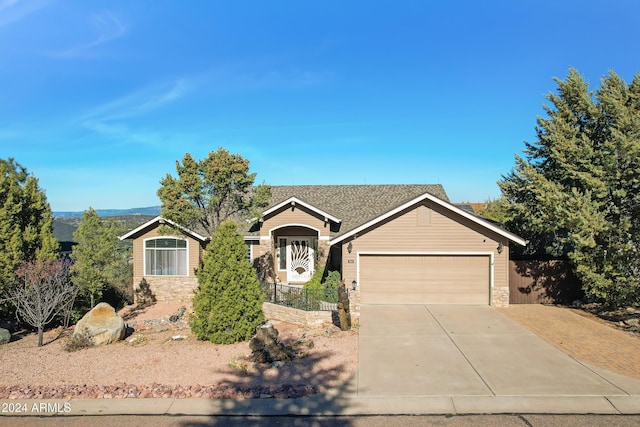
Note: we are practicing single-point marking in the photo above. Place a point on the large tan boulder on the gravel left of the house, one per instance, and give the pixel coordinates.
(102, 325)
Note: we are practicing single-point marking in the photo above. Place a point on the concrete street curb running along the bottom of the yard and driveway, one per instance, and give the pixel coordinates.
(328, 405)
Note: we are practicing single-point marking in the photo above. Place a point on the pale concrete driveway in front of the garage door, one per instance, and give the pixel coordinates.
(443, 350)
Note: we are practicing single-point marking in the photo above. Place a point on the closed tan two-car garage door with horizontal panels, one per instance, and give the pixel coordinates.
(424, 279)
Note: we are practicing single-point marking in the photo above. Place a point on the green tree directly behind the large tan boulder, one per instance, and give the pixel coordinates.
(100, 258)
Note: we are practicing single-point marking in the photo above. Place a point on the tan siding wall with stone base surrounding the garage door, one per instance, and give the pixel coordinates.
(431, 229)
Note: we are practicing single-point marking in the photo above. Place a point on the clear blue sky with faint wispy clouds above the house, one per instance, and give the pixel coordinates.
(98, 99)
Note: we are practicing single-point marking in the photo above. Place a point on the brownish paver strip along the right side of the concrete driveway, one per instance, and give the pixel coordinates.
(581, 335)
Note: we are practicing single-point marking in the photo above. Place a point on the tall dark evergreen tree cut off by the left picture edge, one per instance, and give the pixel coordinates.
(26, 222)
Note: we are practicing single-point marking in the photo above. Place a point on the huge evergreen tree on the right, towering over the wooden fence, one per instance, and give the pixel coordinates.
(577, 191)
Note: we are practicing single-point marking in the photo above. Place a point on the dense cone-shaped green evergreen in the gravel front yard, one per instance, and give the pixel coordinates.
(228, 303)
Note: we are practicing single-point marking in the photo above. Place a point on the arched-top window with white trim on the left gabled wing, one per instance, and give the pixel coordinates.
(165, 256)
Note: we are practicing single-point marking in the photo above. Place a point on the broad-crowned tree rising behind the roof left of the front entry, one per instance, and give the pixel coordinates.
(212, 190)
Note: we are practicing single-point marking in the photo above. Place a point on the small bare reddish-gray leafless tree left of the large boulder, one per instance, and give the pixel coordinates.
(43, 291)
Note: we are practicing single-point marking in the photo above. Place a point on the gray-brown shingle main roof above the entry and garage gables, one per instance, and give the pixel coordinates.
(355, 204)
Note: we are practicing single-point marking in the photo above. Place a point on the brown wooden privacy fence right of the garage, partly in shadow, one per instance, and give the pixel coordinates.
(542, 282)
